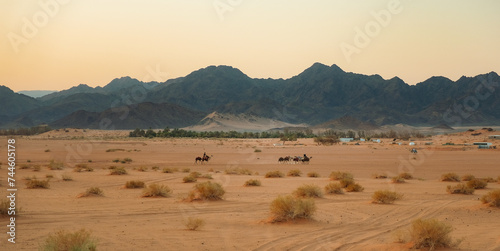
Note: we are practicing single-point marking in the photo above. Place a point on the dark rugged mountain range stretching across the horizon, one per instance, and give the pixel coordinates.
(315, 97)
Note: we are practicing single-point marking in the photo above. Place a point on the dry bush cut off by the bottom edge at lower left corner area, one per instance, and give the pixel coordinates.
(80, 240)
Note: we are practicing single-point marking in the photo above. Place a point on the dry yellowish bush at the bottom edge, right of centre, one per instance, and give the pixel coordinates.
(430, 234)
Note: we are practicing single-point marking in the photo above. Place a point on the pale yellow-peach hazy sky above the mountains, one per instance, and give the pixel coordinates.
(57, 44)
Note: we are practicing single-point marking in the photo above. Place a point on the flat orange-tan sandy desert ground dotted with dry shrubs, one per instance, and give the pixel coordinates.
(123, 220)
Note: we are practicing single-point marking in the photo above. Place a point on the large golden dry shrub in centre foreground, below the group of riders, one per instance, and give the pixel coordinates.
(286, 208)
